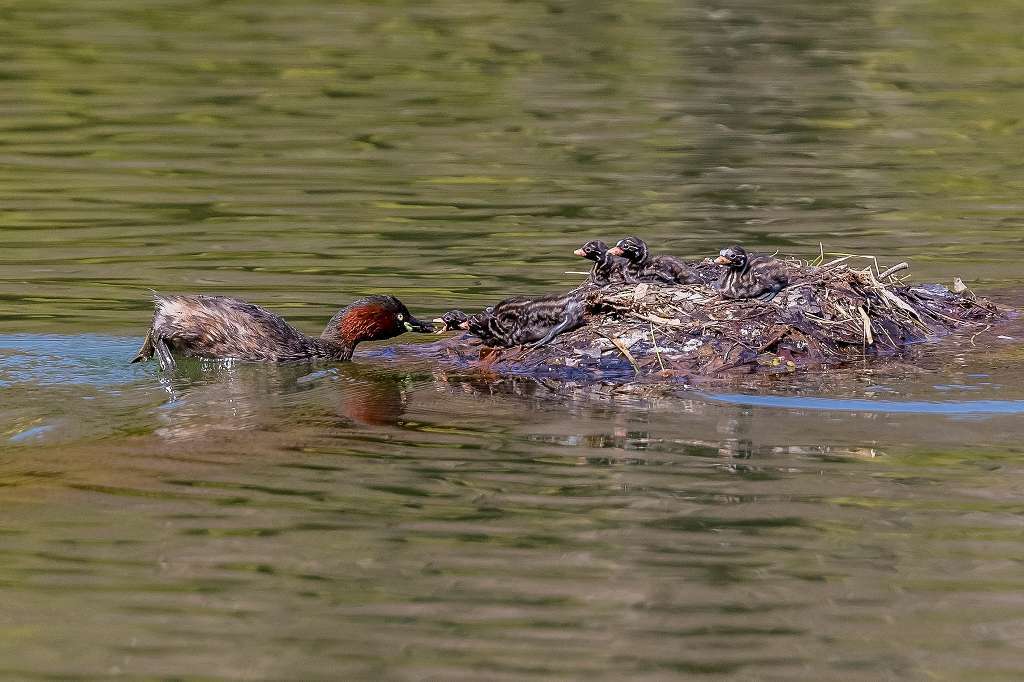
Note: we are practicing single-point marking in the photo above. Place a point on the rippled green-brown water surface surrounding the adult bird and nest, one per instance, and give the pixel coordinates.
(394, 520)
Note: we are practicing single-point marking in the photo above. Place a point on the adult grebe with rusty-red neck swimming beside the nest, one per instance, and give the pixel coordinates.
(219, 327)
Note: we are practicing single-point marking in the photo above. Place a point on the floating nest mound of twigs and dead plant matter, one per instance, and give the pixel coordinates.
(831, 315)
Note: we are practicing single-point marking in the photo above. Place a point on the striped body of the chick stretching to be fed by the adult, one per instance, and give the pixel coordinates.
(532, 321)
